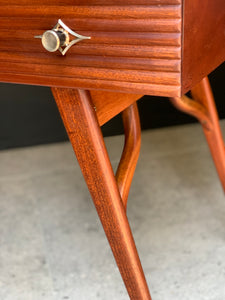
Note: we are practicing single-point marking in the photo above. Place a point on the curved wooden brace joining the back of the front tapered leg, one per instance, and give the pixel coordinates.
(132, 145)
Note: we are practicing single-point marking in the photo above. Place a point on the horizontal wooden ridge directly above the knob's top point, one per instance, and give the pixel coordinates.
(102, 12)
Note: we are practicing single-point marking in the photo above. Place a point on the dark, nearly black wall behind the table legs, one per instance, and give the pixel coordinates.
(29, 116)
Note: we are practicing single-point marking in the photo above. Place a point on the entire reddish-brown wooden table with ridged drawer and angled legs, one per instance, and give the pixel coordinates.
(99, 57)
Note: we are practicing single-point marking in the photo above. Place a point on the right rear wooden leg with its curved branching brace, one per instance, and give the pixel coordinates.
(203, 108)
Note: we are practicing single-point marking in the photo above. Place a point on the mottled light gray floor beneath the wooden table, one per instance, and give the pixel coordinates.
(53, 247)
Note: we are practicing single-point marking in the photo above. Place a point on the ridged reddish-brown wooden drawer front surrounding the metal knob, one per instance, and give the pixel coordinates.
(133, 48)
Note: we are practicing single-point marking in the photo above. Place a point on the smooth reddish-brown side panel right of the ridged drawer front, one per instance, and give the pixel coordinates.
(204, 40)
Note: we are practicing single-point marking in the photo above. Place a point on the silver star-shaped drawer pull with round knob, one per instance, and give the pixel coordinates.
(58, 38)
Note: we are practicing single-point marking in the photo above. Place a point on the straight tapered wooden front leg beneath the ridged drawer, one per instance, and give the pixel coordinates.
(80, 120)
